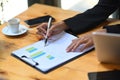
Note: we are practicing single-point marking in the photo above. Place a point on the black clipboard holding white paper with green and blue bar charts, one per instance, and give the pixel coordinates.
(50, 57)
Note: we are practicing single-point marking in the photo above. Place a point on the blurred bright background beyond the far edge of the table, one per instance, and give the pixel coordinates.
(15, 7)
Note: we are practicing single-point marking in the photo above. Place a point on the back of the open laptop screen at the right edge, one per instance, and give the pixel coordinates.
(107, 47)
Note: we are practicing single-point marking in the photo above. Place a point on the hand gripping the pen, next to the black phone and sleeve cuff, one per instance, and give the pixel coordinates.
(55, 29)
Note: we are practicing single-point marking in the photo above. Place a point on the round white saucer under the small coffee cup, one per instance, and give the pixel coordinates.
(22, 29)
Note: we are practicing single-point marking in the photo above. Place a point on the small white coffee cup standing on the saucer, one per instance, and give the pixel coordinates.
(13, 25)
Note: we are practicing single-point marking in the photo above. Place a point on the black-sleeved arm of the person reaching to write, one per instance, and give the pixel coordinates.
(92, 17)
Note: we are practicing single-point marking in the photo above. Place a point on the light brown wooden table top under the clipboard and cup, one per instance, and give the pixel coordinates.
(13, 69)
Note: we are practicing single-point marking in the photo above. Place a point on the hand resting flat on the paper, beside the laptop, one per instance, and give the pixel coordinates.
(86, 40)
